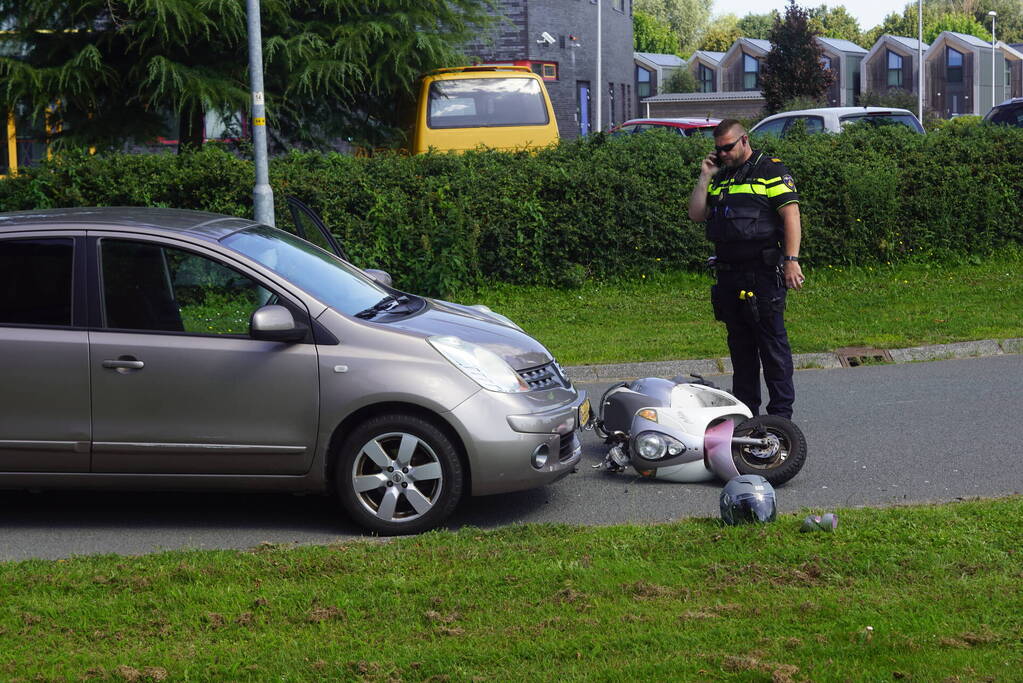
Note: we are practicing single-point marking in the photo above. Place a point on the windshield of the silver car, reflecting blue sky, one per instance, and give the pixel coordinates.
(327, 278)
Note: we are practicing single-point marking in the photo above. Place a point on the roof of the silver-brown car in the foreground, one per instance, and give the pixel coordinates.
(196, 223)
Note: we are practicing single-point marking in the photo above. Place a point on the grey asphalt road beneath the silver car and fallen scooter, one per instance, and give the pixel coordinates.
(877, 435)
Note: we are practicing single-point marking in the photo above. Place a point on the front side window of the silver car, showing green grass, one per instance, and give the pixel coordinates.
(150, 287)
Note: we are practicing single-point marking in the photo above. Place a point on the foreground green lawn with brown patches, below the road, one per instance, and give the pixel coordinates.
(918, 594)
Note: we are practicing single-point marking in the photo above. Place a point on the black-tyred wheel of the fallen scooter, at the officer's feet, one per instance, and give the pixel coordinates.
(779, 462)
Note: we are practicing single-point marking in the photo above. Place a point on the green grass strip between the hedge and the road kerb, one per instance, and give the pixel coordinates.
(668, 316)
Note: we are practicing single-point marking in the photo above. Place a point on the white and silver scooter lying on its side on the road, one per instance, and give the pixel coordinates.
(690, 431)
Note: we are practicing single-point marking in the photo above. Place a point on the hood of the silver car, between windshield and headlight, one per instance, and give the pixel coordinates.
(443, 318)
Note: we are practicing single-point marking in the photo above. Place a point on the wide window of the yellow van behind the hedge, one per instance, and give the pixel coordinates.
(482, 103)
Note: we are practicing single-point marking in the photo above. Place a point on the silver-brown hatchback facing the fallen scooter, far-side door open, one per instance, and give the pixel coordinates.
(165, 349)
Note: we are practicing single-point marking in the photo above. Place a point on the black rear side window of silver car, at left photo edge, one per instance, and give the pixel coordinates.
(36, 282)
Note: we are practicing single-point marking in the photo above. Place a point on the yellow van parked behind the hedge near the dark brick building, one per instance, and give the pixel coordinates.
(498, 107)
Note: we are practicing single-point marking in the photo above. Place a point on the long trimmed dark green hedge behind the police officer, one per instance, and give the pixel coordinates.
(597, 208)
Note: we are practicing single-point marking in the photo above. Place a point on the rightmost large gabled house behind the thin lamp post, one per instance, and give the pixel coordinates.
(965, 75)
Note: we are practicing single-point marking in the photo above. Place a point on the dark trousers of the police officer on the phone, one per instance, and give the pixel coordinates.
(757, 337)
